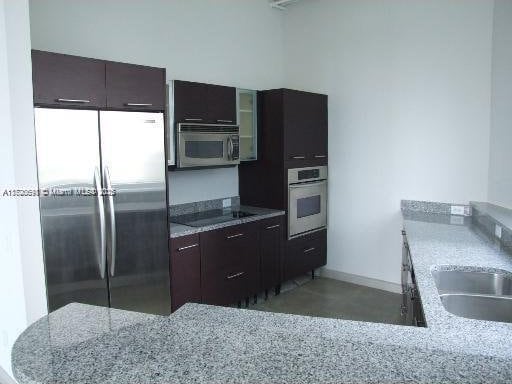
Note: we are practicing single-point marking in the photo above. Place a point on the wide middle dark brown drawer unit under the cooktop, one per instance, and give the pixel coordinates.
(229, 264)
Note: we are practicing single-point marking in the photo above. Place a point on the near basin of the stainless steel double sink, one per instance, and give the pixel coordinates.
(480, 307)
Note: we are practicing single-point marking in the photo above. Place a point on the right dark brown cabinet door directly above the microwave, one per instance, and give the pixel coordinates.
(221, 104)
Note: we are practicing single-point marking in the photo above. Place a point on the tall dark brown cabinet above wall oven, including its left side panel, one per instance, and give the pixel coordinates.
(292, 130)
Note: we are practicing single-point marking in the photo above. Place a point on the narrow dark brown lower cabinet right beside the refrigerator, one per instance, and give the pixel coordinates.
(185, 271)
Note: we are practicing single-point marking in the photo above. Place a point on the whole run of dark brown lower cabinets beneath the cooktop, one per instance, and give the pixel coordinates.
(228, 265)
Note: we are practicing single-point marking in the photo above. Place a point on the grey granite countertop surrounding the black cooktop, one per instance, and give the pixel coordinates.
(179, 230)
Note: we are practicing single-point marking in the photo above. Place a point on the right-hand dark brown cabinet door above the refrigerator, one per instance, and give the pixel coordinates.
(135, 87)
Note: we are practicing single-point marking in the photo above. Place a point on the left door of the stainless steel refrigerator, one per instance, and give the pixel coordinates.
(68, 161)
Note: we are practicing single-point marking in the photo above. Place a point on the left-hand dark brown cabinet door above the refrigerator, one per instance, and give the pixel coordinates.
(64, 80)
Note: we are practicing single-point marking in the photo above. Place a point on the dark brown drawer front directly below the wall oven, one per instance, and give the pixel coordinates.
(304, 254)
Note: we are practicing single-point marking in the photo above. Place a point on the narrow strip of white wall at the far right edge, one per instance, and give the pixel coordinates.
(500, 168)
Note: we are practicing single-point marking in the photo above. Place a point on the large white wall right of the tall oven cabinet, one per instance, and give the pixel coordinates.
(409, 105)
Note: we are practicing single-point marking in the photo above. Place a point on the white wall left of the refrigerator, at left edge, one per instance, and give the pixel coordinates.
(22, 289)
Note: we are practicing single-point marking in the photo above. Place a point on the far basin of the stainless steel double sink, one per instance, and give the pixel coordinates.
(483, 283)
